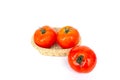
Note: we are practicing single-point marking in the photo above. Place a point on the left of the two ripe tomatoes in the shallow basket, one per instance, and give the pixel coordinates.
(45, 37)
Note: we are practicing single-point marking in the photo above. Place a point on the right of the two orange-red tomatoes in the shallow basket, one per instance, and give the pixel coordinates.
(68, 37)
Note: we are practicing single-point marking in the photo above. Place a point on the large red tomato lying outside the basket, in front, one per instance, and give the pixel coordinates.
(82, 59)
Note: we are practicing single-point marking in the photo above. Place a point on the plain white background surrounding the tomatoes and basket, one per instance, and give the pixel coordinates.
(98, 22)
